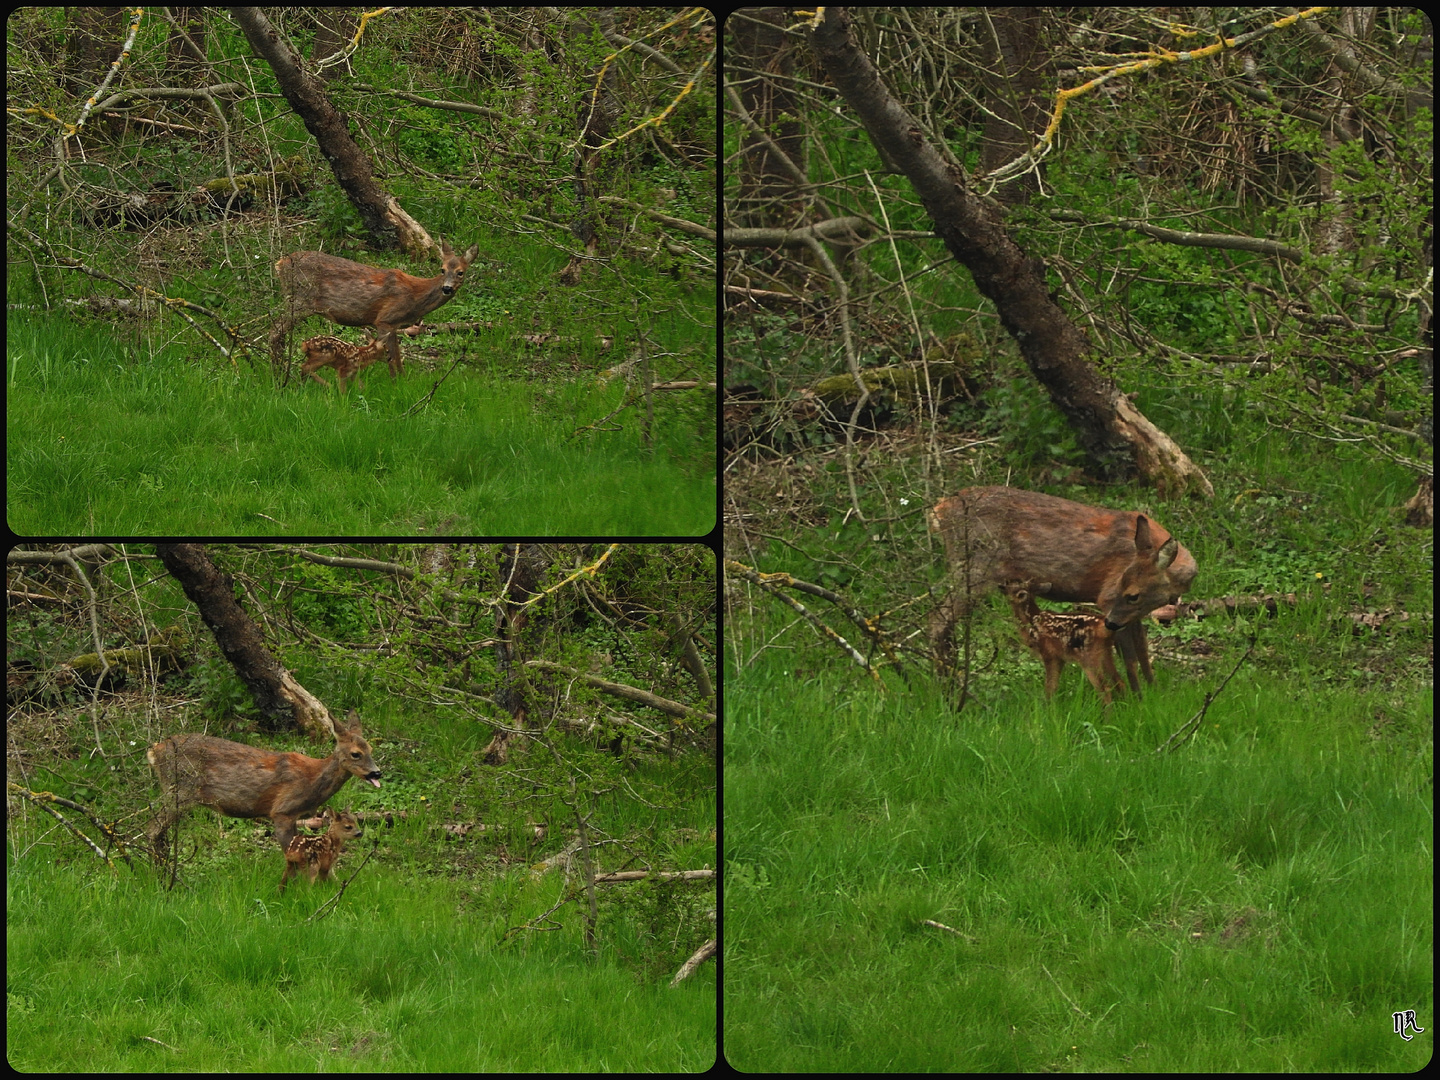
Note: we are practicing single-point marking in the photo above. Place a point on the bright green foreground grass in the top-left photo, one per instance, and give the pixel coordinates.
(107, 440)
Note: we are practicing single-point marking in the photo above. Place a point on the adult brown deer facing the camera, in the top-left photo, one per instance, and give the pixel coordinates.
(358, 296)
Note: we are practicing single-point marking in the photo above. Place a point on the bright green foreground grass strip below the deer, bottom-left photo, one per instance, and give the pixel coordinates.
(113, 974)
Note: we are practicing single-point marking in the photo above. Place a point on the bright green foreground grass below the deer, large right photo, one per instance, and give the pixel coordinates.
(1259, 901)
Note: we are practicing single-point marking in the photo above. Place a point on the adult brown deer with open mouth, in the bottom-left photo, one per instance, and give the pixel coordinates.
(247, 783)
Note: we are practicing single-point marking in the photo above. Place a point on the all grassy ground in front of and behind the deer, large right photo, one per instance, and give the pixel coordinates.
(1038, 886)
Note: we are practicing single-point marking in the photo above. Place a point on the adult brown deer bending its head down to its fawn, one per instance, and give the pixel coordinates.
(1121, 561)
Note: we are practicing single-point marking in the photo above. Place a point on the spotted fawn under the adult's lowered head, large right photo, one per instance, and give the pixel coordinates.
(1079, 637)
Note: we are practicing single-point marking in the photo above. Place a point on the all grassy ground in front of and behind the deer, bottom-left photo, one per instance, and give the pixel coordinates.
(449, 953)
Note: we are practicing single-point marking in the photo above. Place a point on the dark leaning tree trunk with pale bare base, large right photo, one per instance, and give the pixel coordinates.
(1114, 434)
